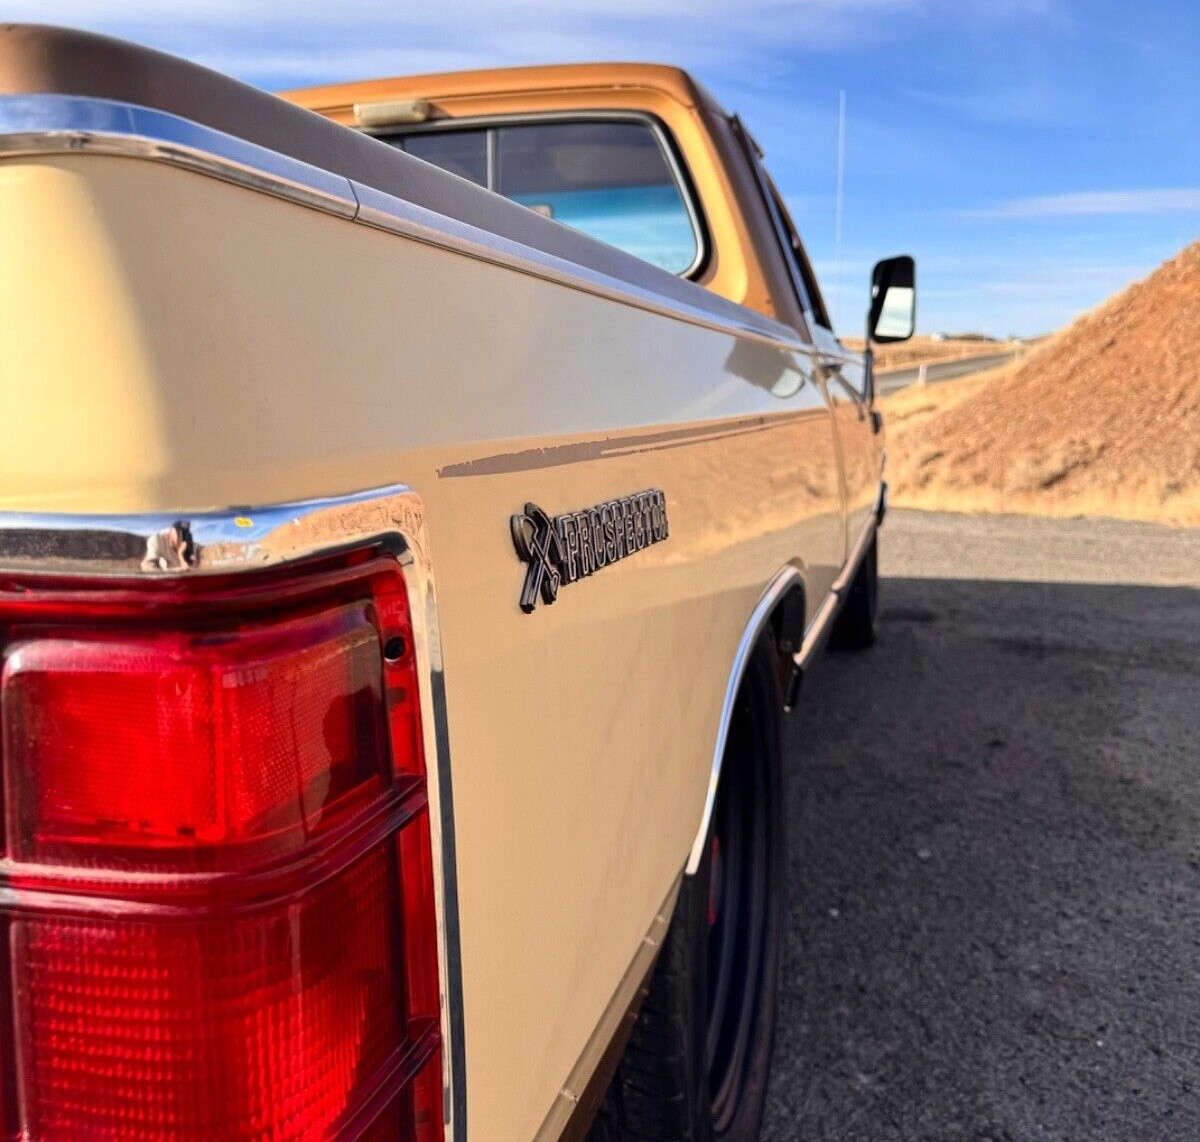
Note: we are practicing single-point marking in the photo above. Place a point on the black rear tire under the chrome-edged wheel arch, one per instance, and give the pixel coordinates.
(697, 1065)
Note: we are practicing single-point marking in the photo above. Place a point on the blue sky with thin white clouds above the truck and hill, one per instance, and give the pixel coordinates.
(1035, 155)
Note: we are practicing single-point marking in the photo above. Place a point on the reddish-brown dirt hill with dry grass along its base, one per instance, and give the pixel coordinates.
(1102, 420)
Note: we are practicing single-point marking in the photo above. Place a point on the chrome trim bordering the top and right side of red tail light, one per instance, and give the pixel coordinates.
(238, 540)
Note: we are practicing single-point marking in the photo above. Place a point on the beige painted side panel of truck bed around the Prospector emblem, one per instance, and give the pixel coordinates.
(177, 344)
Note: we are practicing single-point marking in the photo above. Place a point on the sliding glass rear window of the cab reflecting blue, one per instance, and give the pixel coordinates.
(613, 179)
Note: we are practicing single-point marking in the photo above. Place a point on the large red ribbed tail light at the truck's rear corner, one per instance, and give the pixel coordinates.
(218, 876)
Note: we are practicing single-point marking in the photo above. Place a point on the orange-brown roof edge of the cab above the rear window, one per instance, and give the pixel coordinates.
(503, 82)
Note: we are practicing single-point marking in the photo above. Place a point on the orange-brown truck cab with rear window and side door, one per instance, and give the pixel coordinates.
(644, 158)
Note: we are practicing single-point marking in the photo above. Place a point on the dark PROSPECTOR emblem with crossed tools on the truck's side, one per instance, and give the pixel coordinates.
(565, 549)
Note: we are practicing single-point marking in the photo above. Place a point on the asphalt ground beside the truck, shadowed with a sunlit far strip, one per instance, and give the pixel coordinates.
(995, 846)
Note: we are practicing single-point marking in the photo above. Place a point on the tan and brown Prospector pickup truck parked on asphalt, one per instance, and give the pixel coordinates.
(482, 434)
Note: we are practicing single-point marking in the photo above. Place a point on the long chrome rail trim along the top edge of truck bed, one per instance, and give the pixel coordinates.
(63, 124)
